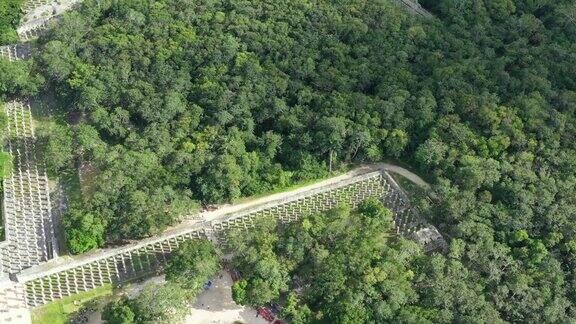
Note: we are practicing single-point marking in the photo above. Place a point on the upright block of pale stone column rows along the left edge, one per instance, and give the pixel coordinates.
(27, 209)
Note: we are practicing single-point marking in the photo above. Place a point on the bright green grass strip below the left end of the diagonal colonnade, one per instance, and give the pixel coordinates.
(59, 312)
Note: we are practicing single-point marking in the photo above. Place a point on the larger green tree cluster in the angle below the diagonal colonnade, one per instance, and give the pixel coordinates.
(341, 266)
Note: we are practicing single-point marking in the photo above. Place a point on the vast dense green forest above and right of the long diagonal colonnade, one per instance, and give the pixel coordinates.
(180, 102)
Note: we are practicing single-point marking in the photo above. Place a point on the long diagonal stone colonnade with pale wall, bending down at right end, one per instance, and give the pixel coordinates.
(53, 280)
